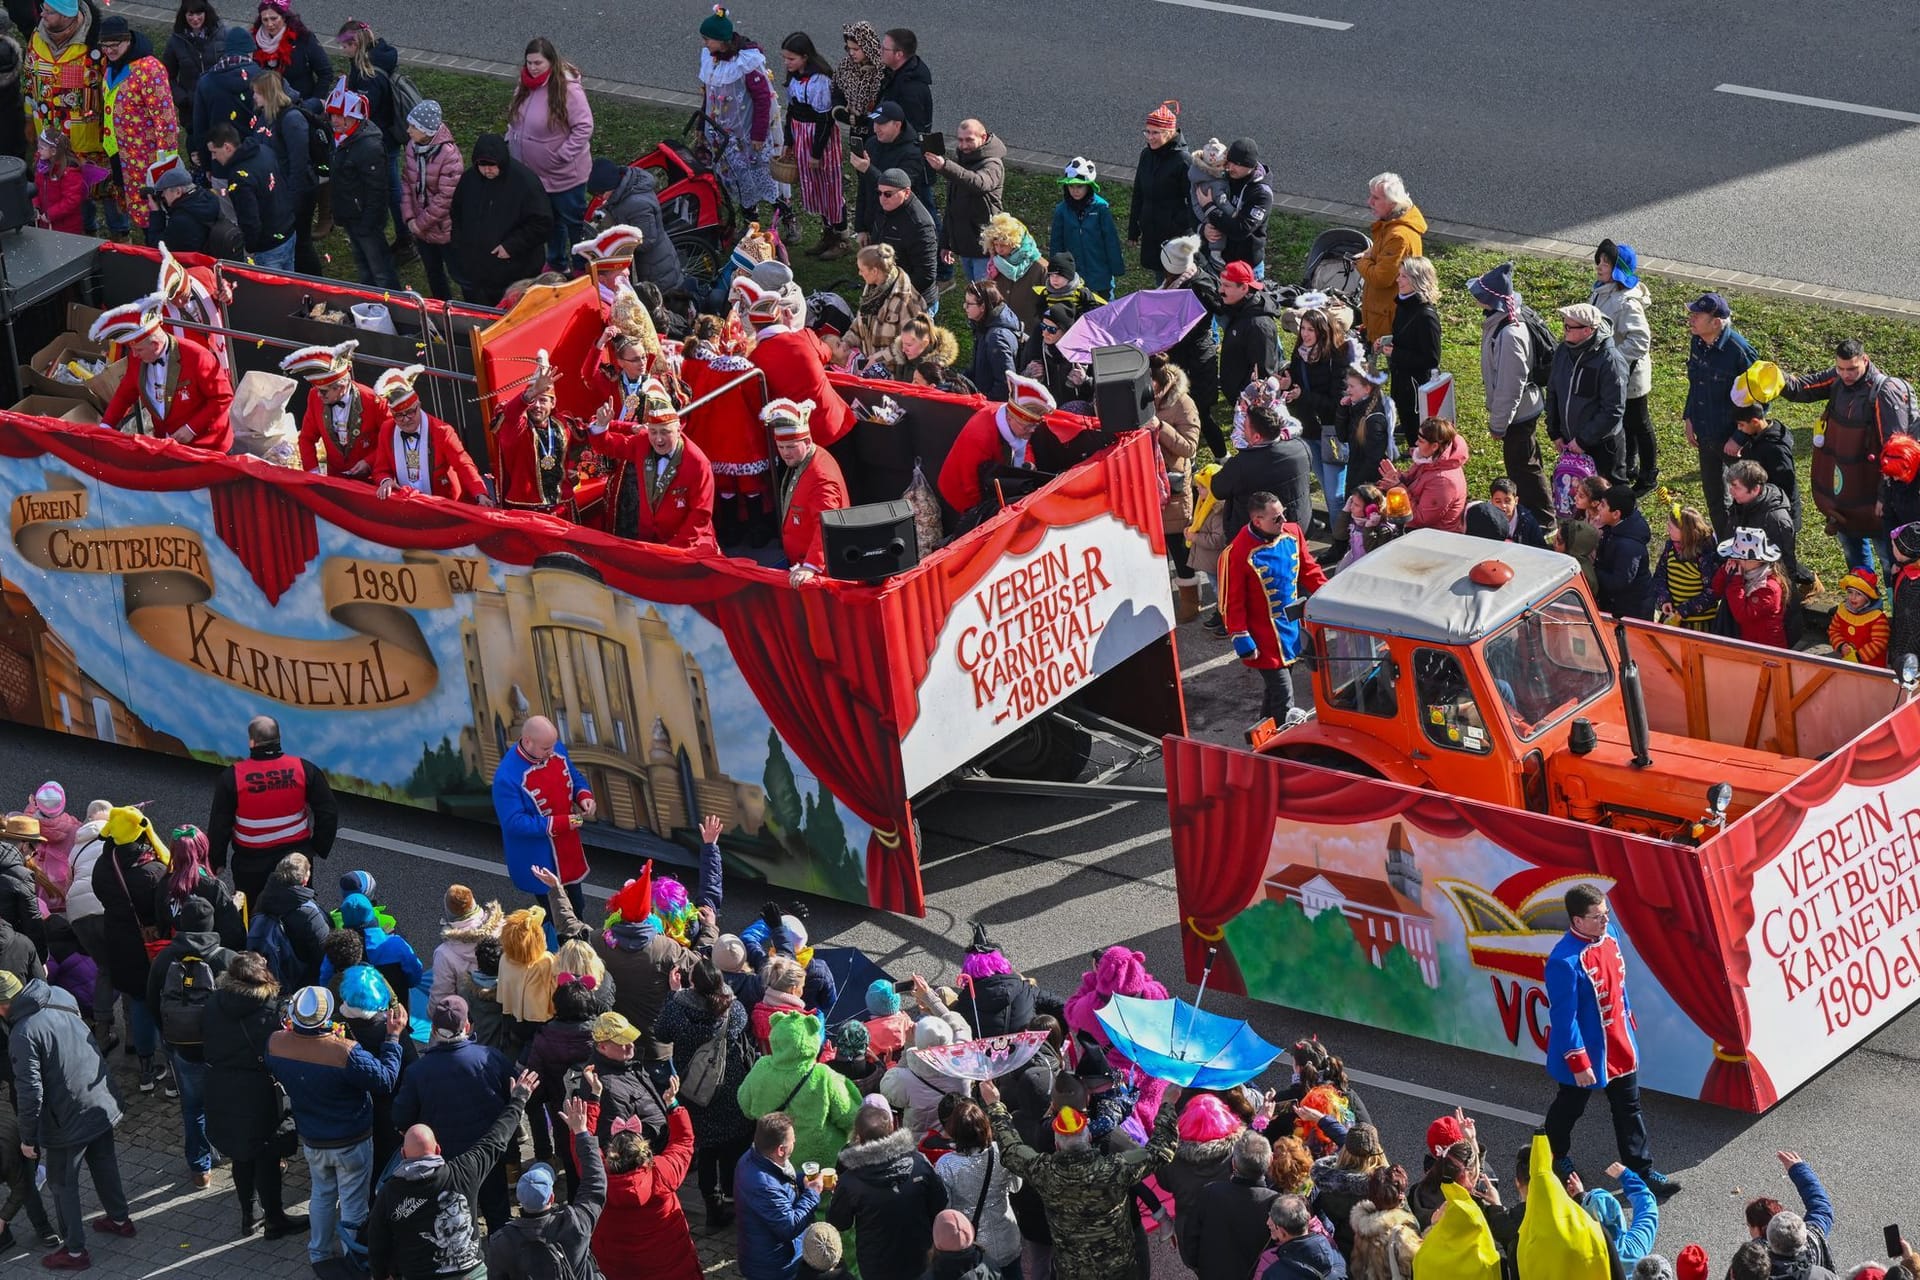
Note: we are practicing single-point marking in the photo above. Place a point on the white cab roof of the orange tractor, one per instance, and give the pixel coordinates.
(1418, 588)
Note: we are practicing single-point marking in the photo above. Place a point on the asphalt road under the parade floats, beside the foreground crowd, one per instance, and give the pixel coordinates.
(1059, 880)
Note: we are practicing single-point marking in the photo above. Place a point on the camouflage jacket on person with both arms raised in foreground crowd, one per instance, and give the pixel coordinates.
(1088, 1197)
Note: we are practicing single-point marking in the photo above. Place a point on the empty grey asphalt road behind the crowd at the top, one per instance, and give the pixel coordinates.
(1575, 122)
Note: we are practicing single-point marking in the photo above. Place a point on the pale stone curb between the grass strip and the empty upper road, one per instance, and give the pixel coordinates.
(1307, 206)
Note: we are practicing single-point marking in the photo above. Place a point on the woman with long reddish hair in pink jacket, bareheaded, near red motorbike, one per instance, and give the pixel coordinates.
(550, 130)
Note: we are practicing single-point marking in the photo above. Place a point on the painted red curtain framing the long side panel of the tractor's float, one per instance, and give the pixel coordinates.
(1666, 909)
